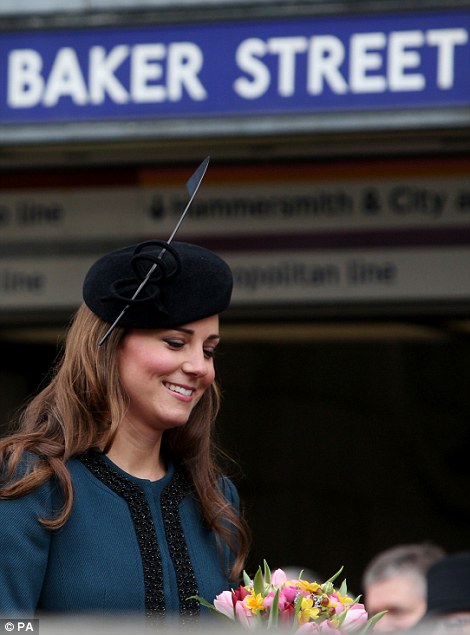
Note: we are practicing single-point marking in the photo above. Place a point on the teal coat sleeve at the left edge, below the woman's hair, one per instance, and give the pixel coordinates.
(24, 549)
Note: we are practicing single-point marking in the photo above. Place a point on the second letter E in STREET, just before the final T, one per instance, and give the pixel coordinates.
(400, 60)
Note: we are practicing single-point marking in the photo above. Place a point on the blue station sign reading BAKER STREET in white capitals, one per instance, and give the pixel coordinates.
(243, 68)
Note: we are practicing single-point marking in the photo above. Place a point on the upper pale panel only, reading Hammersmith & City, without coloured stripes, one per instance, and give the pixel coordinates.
(267, 208)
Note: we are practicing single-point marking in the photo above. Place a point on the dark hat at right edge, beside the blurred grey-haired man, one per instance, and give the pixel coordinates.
(449, 584)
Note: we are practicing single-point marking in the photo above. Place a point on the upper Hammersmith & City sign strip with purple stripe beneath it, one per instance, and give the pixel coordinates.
(266, 215)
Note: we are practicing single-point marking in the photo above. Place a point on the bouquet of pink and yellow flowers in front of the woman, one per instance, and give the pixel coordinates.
(270, 600)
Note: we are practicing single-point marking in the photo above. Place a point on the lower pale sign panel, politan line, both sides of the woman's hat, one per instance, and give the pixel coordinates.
(260, 278)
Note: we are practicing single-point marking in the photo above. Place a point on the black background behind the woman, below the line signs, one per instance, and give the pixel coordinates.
(343, 448)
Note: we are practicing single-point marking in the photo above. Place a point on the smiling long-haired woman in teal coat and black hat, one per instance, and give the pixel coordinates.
(111, 499)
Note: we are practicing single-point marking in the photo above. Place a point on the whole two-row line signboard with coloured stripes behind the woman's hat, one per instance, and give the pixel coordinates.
(307, 238)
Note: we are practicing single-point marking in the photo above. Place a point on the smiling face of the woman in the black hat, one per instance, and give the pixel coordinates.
(166, 371)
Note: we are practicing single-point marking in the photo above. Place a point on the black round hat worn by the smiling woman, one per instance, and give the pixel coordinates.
(187, 283)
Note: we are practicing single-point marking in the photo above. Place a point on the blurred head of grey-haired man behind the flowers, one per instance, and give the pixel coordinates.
(395, 581)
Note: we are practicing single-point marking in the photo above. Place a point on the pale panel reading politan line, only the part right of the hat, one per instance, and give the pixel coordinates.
(350, 276)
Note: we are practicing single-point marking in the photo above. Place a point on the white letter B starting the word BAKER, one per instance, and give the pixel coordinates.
(25, 83)
